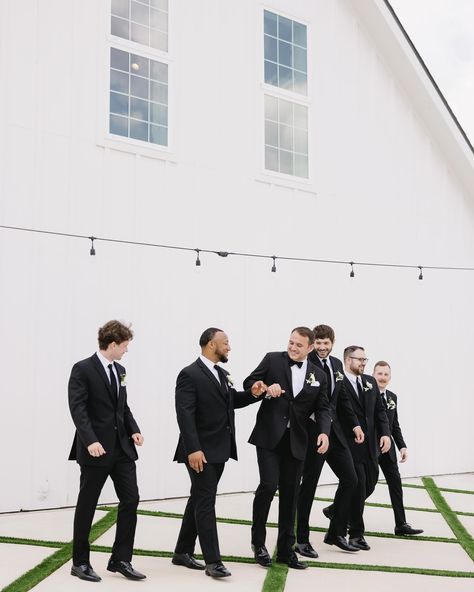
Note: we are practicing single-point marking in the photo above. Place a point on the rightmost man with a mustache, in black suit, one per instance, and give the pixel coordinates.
(388, 461)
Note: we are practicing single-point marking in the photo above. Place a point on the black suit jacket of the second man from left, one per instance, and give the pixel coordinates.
(205, 413)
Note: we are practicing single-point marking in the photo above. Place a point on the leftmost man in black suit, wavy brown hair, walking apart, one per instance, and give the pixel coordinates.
(104, 444)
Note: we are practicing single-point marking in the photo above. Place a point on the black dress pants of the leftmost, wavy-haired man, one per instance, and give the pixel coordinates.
(122, 471)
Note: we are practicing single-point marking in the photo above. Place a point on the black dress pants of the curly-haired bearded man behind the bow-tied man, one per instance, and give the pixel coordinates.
(340, 460)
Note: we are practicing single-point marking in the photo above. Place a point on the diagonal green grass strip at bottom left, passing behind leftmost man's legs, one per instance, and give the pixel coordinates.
(50, 564)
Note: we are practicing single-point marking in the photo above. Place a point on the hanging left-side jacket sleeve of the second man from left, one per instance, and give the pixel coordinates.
(185, 403)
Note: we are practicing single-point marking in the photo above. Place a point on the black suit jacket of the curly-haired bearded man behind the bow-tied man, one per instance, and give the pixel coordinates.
(339, 401)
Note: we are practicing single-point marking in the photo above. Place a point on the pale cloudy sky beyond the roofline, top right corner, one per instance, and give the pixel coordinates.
(443, 33)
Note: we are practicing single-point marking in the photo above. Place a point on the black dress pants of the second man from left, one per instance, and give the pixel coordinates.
(199, 517)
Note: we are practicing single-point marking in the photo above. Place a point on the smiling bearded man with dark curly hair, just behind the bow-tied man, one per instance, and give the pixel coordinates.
(338, 457)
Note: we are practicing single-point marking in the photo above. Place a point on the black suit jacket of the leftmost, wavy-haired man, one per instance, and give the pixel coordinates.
(99, 416)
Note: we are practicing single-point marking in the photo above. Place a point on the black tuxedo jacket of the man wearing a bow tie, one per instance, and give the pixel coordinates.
(274, 413)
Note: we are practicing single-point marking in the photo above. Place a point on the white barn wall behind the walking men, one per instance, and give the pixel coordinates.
(384, 189)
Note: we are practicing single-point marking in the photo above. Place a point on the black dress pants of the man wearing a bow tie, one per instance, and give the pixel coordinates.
(278, 469)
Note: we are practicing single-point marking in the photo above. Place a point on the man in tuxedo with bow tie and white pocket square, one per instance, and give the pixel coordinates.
(297, 389)
